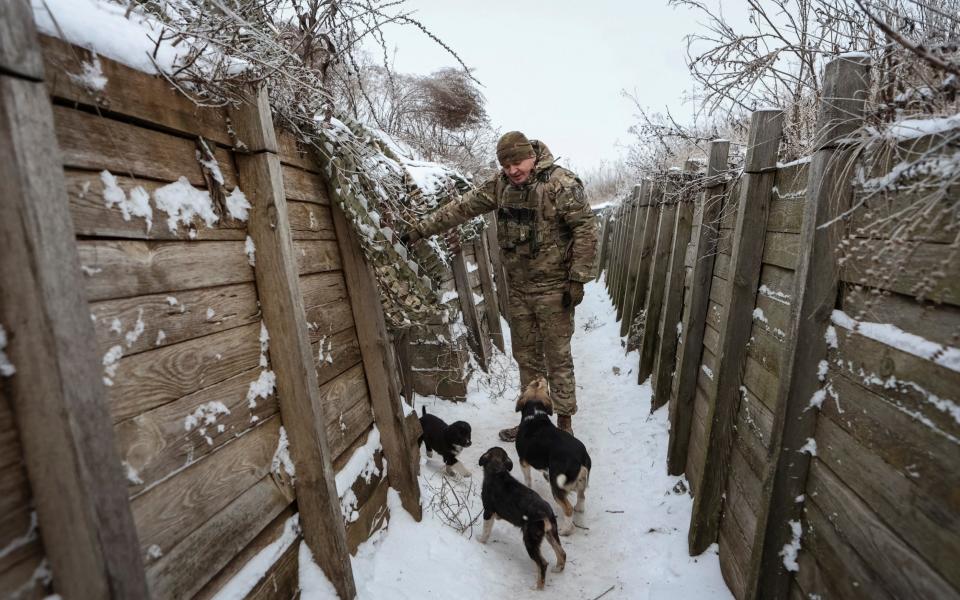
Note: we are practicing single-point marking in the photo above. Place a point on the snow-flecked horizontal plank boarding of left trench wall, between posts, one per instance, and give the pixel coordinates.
(176, 318)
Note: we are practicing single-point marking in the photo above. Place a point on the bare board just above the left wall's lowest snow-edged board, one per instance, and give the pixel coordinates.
(184, 569)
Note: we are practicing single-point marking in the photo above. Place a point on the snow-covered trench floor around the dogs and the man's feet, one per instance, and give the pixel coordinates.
(630, 543)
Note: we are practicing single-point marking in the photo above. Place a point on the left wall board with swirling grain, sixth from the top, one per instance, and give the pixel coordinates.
(150, 379)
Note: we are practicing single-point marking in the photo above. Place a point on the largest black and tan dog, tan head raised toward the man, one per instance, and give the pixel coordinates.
(541, 445)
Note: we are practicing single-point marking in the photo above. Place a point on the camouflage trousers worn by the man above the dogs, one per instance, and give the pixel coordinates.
(540, 330)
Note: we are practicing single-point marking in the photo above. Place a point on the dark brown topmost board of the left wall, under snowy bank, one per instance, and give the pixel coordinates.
(129, 92)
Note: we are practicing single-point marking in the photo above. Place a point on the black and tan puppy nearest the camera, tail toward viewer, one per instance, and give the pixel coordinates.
(506, 498)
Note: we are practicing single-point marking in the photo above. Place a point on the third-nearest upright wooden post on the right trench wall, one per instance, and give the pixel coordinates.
(695, 318)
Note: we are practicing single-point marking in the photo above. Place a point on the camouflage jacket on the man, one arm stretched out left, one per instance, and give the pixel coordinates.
(546, 230)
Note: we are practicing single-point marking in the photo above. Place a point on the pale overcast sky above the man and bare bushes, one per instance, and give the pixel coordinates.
(555, 69)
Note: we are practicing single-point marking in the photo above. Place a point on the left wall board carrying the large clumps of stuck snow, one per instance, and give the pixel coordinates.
(93, 218)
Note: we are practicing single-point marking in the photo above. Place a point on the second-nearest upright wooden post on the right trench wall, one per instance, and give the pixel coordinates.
(759, 173)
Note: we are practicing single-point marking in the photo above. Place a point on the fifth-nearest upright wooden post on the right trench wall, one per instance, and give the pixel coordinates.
(657, 280)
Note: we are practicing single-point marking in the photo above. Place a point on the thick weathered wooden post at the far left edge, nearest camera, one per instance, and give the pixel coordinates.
(57, 392)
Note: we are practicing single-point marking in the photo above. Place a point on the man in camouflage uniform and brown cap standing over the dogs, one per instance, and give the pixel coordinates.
(548, 238)
